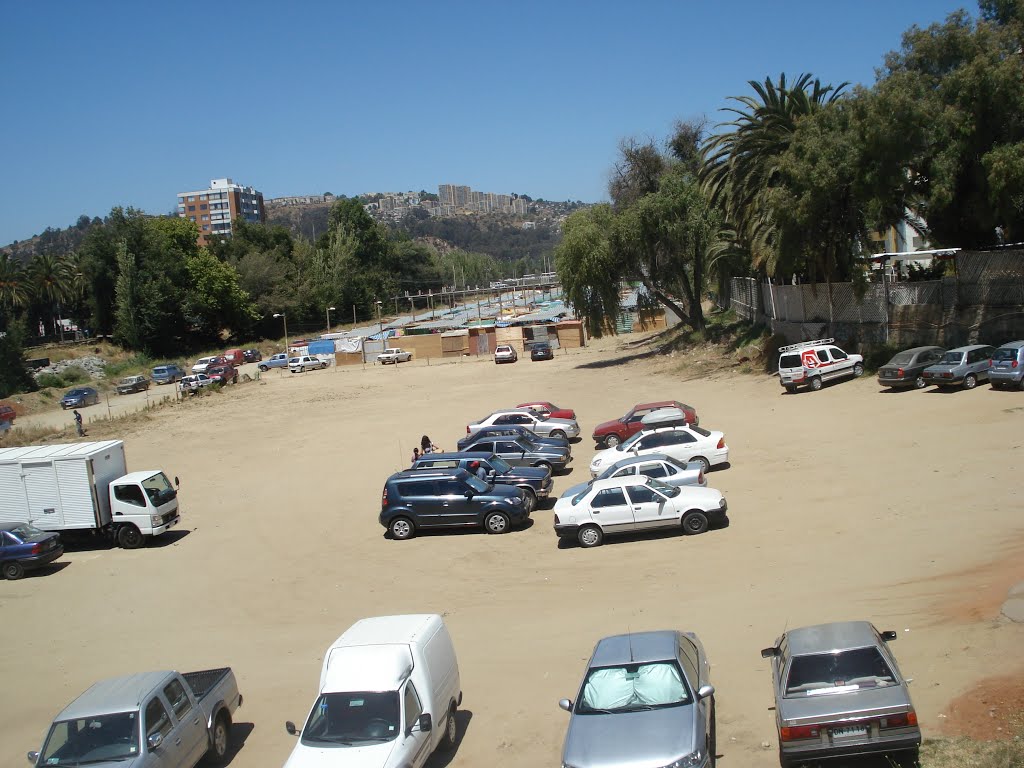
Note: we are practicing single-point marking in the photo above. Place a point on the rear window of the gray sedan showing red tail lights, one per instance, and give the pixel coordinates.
(841, 672)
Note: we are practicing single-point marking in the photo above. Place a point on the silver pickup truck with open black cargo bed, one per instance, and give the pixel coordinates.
(146, 720)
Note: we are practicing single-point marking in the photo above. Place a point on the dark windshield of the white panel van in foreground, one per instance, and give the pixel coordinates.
(347, 719)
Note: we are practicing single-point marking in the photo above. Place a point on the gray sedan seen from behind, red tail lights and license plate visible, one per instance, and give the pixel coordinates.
(840, 694)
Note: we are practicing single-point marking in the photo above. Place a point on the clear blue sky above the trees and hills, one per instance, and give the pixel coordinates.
(126, 104)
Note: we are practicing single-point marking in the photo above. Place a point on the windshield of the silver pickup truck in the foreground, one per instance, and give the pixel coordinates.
(95, 740)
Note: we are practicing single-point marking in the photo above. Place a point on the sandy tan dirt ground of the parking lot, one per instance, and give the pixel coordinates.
(848, 503)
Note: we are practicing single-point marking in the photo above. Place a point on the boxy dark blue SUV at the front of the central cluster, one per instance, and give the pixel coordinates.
(448, 498)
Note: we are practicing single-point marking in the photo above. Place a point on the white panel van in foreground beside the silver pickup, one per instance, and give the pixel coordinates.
(389, 694)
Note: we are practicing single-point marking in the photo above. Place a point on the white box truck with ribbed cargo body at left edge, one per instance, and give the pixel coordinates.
(87, 487)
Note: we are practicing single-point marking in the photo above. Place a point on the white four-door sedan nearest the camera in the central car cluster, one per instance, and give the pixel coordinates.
(621, 505)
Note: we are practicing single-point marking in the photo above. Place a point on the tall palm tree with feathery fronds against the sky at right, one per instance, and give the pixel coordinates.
(741, 165)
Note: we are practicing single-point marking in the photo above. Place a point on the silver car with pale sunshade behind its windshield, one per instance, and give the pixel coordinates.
(647, 700)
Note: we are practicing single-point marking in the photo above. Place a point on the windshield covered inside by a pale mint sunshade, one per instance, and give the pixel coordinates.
(633, 688)
